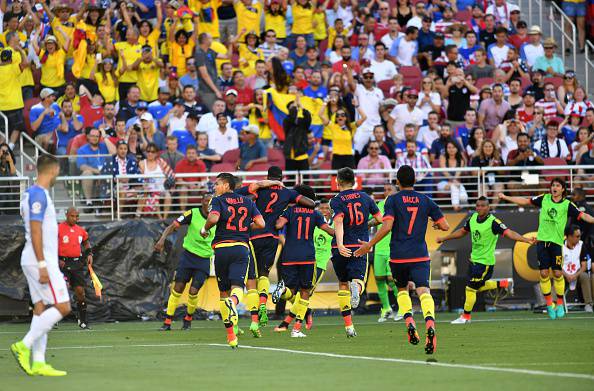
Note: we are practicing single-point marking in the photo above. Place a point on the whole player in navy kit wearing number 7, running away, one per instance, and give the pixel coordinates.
(406, 216)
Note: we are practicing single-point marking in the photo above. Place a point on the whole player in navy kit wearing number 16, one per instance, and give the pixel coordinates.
(352, 209)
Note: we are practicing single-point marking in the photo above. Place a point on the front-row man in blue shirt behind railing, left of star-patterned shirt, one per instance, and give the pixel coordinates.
(90, 161)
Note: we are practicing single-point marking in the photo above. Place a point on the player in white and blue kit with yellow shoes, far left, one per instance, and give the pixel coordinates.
(39, 261)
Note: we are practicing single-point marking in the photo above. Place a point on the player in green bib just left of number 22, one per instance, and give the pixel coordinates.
(194, 261)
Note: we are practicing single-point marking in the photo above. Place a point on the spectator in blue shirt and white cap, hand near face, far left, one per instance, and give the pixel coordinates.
(45, 117)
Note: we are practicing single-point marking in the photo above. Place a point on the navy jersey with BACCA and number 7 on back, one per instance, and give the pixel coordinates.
(410, 211)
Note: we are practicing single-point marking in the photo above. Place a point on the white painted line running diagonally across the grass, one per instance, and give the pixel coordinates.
(418, 362)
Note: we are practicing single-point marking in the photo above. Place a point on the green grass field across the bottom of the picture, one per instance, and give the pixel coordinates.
(507, 350)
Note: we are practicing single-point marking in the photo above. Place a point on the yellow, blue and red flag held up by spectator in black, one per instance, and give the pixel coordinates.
(277, 102)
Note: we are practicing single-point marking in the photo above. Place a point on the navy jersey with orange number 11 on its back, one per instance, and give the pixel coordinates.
(299, 234)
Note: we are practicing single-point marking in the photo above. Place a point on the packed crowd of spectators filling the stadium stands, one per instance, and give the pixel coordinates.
(159, 87)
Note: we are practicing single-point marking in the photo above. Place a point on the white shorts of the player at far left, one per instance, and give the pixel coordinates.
(54, 292)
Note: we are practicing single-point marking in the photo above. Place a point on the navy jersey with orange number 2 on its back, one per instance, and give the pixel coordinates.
(271, 202)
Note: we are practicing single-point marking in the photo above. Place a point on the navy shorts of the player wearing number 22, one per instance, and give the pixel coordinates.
(231, 265)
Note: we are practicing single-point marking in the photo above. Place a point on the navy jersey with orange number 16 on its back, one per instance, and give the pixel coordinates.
(355, 207)
